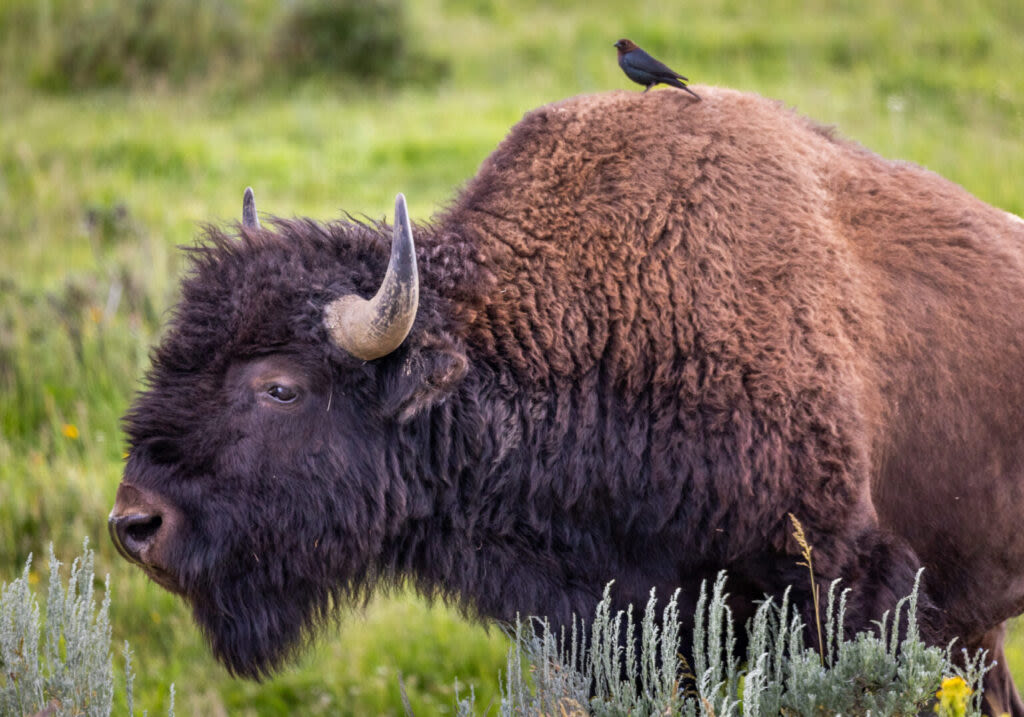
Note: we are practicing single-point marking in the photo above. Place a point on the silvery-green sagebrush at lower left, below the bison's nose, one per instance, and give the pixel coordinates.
(58, 662)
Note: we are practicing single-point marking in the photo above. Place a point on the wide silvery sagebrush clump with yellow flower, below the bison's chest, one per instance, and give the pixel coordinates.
(595, 671)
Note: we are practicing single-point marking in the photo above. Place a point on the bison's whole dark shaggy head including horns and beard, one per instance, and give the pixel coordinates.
(259, 482)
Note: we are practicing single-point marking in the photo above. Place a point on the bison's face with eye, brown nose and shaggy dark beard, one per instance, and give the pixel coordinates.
(258, 508)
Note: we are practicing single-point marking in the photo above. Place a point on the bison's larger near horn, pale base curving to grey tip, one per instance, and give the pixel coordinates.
(374, 328)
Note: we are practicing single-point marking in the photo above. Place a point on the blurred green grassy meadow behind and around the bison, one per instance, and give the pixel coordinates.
(125, 124)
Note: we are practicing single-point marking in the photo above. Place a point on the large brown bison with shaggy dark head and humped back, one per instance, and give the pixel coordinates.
(642, 336)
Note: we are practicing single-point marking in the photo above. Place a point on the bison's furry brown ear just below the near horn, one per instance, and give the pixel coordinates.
(430, 373)
